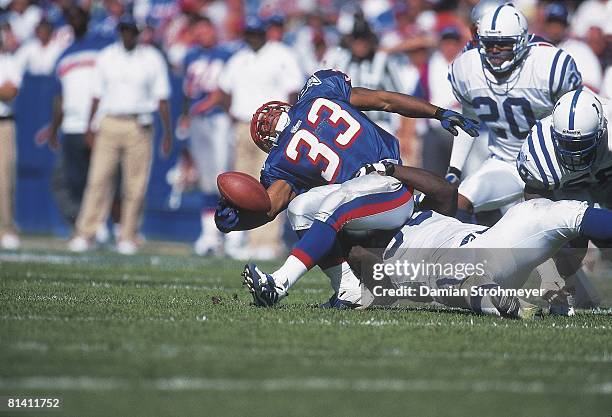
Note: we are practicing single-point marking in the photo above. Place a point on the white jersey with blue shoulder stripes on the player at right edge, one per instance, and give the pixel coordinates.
(541, 171)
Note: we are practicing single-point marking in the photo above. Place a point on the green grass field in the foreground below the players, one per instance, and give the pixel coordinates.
(176, 335)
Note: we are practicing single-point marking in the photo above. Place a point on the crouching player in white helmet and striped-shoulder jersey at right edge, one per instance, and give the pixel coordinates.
(568, 155)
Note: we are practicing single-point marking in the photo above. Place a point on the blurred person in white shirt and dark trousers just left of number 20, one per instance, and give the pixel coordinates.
(437, 142)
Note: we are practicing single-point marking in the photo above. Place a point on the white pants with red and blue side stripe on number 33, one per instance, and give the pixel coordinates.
(324, 203)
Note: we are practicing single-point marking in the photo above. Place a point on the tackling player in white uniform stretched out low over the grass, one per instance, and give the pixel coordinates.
(527, 235)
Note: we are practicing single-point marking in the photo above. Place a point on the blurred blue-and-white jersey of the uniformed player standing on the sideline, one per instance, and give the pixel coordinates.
(202, 67)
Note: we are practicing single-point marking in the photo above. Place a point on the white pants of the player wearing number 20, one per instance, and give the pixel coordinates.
(494, 185)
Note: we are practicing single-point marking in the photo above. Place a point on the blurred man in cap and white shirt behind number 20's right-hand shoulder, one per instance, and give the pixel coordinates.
(556, 29)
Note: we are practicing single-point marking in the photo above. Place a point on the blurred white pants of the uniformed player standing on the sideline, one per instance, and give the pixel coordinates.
(211, 145)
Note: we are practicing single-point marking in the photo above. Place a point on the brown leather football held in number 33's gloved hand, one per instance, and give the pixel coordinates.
(243, 191)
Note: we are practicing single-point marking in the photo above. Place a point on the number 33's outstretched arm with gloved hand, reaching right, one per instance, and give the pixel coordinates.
(408, 106)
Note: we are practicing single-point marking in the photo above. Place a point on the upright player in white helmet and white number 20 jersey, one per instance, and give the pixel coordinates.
(508, 83)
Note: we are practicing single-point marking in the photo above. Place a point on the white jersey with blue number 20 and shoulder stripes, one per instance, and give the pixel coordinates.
(510, 109)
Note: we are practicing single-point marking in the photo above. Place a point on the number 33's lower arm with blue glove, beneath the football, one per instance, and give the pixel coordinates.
(229, 218)
